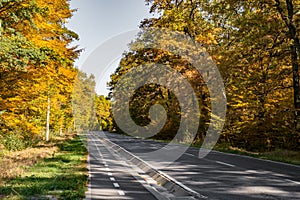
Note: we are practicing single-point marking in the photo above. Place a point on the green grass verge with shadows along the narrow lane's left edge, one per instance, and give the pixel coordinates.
(62, 175)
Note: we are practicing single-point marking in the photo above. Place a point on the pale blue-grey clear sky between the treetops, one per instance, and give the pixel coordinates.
(97, 21)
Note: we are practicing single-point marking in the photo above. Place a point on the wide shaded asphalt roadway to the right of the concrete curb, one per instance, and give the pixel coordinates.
(218, 175)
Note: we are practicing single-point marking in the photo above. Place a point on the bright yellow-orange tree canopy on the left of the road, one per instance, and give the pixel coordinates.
(36, 66)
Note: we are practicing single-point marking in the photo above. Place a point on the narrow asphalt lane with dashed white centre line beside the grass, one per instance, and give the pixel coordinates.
(110, 177)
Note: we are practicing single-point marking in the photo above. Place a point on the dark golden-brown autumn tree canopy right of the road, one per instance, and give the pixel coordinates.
(255, 45)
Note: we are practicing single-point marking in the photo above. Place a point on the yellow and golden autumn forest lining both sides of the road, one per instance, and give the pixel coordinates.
(255, 45)
